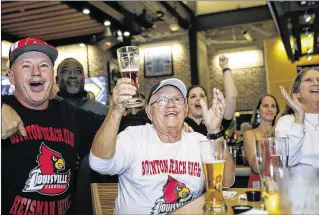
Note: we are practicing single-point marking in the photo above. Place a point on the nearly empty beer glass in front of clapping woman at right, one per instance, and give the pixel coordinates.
(272, 158)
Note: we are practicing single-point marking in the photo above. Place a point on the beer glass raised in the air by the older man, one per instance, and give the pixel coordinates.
(129, 60)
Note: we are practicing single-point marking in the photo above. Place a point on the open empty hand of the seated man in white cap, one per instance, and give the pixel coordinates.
(214, 116)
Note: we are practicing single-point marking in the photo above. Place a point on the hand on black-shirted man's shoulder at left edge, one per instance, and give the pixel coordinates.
(11, 122)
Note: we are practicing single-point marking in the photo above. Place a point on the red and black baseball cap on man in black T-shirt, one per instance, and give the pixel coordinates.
(31, 44)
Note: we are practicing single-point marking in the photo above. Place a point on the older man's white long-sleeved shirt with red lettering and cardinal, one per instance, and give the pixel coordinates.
(154, 177)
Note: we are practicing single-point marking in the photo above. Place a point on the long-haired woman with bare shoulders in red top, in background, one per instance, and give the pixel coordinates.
(263, 121)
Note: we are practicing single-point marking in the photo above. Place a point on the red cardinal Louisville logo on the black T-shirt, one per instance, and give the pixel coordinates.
(49, 177)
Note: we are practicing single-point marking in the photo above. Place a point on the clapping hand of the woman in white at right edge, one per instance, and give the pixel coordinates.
(294, 103)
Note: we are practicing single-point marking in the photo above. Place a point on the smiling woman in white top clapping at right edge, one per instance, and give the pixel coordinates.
(300, 120)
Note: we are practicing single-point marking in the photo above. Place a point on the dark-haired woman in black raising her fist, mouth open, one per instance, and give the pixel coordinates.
(197, 94)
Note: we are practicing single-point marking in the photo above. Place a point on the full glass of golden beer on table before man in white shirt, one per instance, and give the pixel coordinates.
(213, 155)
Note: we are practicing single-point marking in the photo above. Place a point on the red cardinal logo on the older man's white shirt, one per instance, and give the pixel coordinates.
(176, 194)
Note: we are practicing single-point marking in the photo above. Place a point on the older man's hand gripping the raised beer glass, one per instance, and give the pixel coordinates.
(123, 91)
